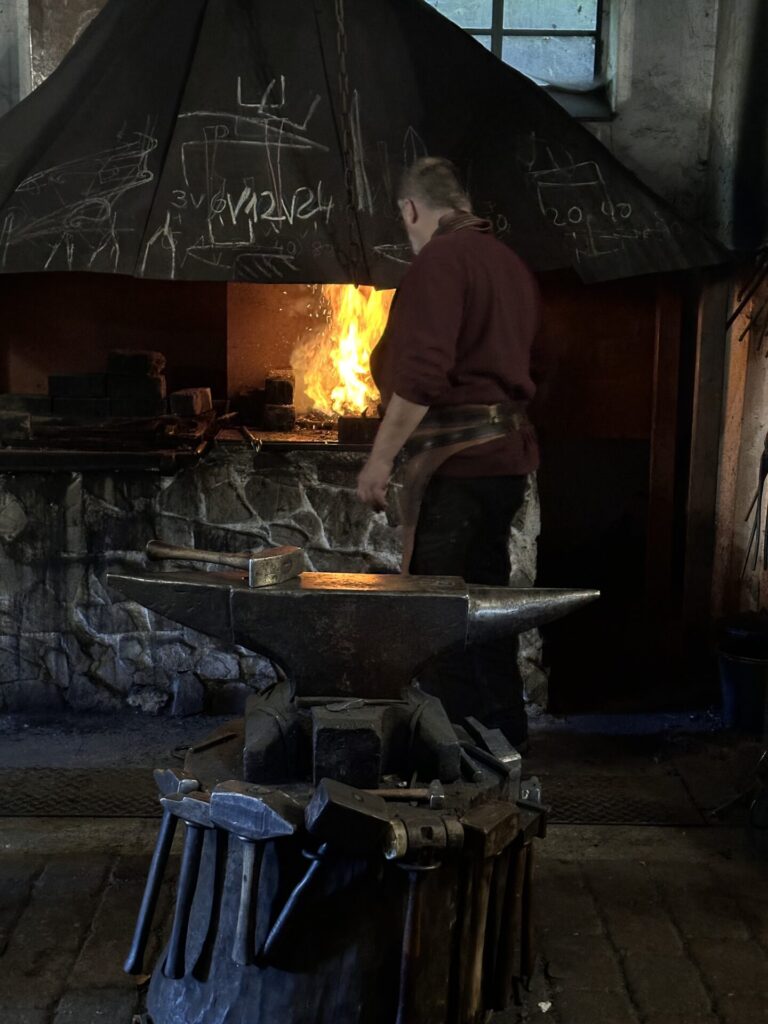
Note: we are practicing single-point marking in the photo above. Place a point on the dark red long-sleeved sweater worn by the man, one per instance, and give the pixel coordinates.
(460, 332)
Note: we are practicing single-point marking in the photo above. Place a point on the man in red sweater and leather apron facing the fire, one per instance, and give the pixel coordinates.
(454, 372)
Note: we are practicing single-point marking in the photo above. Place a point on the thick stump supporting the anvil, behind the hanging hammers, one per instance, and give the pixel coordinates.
(441, 941)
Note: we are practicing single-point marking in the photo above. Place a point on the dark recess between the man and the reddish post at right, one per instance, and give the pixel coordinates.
(594, 418)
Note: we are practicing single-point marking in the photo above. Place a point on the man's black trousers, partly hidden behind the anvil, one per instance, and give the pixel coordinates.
(463, 530)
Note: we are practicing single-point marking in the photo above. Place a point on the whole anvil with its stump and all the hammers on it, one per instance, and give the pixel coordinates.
(352, 857)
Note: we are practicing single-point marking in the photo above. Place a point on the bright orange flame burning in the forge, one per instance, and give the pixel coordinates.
(333, 366)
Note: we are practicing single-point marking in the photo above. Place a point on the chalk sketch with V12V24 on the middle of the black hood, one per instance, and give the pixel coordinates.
(237, 195)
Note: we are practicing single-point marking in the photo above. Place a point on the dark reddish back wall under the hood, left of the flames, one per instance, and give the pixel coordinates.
(68, 323)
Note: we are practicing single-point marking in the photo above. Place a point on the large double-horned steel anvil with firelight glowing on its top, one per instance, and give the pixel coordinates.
(344, 634)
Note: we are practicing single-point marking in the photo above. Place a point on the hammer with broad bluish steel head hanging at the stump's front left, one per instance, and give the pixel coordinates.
(255, 815)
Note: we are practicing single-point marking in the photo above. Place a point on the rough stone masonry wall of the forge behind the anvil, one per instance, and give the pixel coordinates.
(66, 642)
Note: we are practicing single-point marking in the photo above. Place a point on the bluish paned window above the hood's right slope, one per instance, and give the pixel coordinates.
(557, 42)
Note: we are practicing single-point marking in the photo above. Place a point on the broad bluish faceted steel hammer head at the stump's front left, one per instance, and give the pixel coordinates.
(255, 813)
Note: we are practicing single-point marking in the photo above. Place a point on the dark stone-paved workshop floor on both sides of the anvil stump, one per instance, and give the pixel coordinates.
(641, 923)
